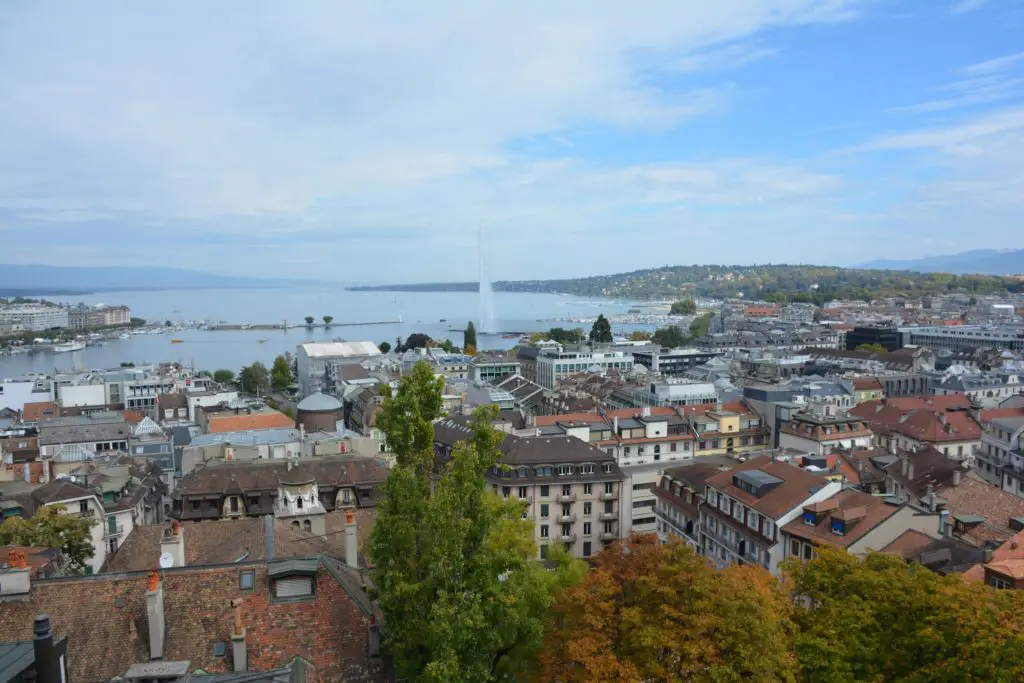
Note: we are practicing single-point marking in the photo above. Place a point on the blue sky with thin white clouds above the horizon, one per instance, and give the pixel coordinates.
(374, 142)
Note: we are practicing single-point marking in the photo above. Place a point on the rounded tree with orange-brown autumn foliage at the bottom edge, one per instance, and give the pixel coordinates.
(660, 613)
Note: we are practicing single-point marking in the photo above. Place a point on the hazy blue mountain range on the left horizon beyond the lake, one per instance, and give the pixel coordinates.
(50, 280)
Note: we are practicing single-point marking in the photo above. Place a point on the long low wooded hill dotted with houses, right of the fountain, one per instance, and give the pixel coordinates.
(774, 283)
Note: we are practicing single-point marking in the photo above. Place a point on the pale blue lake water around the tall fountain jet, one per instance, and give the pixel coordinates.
(212, 351)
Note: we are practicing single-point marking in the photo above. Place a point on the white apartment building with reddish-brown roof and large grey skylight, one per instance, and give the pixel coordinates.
(747, 506)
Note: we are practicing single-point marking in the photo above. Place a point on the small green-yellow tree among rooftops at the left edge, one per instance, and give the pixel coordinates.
(52, 528)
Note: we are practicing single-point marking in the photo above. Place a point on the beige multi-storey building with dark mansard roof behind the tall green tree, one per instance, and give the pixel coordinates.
(574, 492)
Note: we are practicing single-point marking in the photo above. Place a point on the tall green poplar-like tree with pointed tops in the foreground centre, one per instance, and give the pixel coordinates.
(454, 570)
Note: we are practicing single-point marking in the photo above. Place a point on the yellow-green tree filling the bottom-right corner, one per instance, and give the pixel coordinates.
(877, 619)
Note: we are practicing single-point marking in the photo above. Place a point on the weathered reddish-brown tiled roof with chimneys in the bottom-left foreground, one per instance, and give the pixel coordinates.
(105, 618)
